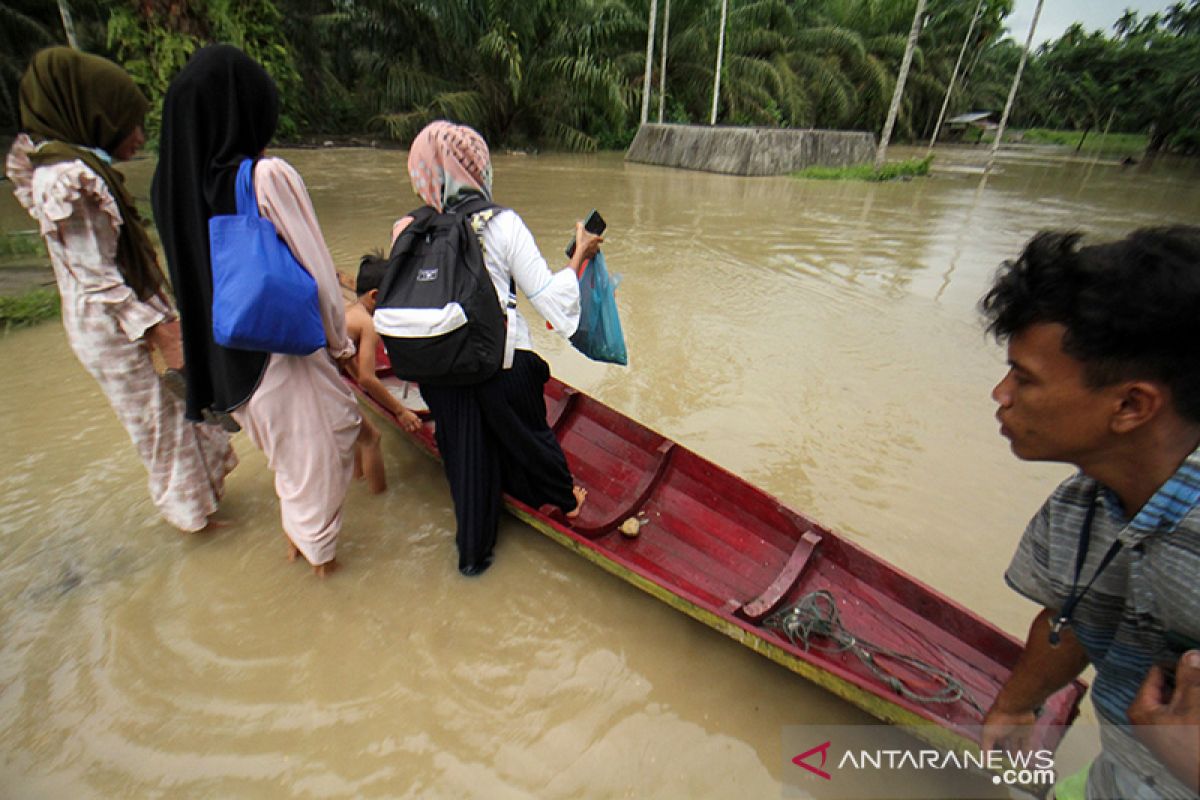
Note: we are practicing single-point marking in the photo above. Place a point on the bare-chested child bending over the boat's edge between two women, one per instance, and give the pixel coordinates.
(361, 328)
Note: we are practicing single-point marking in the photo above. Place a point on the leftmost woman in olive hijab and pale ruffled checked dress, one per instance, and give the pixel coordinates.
(79, 115)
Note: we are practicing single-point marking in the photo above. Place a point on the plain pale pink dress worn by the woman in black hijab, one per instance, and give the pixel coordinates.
(303, 416)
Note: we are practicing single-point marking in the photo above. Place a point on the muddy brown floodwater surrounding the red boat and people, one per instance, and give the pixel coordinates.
(819, 339)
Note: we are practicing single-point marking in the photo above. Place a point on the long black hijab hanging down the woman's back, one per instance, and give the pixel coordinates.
(219, 111)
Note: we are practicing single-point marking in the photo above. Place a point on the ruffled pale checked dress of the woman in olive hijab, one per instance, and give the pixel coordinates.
(106, 323)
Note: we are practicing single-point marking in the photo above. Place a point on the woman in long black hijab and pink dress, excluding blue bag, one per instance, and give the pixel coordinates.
(221, 110)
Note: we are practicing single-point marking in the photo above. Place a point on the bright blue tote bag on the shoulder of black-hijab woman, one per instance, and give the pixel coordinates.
(262, 298)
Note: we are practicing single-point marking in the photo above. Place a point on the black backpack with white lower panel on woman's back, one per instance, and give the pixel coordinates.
(437, 311)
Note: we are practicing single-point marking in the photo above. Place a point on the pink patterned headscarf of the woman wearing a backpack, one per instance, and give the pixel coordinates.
(447, 163)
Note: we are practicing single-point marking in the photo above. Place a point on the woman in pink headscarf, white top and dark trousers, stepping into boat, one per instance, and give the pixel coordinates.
(493, 436)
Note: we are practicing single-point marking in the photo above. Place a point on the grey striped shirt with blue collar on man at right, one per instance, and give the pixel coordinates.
(1151, 588)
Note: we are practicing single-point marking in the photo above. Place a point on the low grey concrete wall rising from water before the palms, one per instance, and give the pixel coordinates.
(748, 152)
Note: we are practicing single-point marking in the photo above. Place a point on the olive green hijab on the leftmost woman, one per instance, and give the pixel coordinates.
(74, 104)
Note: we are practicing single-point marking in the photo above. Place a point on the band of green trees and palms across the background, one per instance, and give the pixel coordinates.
(569, 74)
